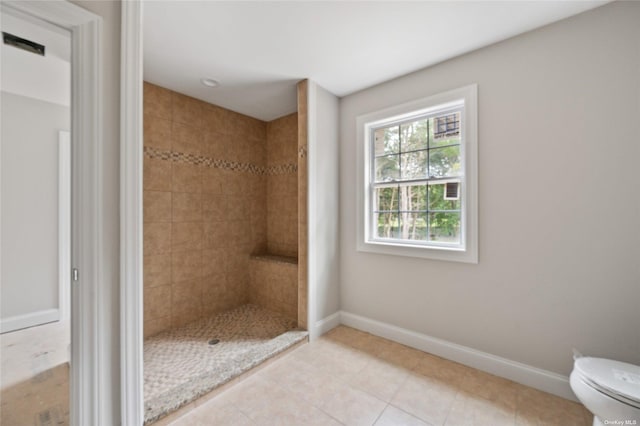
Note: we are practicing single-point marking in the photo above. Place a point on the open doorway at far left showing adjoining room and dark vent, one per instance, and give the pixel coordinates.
(36, 210)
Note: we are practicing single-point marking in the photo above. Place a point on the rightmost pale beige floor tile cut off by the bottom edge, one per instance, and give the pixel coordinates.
(472, 410)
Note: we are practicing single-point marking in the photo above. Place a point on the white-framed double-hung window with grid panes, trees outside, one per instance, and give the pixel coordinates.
(419, 179)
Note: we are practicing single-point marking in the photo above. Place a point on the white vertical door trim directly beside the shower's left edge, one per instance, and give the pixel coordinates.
(131, 260)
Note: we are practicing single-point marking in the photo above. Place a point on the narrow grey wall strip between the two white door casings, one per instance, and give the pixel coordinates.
(110, 245)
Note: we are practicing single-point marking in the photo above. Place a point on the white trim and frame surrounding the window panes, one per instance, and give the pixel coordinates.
(469, 190)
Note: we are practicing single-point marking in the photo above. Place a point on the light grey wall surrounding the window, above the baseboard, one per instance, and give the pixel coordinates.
(559, 237)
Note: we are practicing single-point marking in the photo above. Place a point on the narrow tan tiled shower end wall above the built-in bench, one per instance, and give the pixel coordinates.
(282, 186)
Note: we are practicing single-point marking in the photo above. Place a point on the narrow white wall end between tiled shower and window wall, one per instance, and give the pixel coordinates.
(323, 205)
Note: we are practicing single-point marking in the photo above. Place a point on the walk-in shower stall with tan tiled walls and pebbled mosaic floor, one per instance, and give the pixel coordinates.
(224, 230)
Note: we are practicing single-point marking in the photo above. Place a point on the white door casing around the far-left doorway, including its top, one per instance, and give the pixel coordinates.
(88, 357)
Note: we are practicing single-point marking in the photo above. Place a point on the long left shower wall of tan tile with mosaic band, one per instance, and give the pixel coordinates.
(204, 207)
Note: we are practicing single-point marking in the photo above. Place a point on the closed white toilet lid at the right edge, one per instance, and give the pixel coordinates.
(615, 376)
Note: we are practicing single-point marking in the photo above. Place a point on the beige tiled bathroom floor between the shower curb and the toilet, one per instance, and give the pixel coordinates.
(353, 378)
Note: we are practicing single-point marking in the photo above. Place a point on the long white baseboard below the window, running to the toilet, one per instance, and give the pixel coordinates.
(537, 378)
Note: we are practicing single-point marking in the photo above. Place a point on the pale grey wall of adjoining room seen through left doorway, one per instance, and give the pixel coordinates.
(29, 283)
